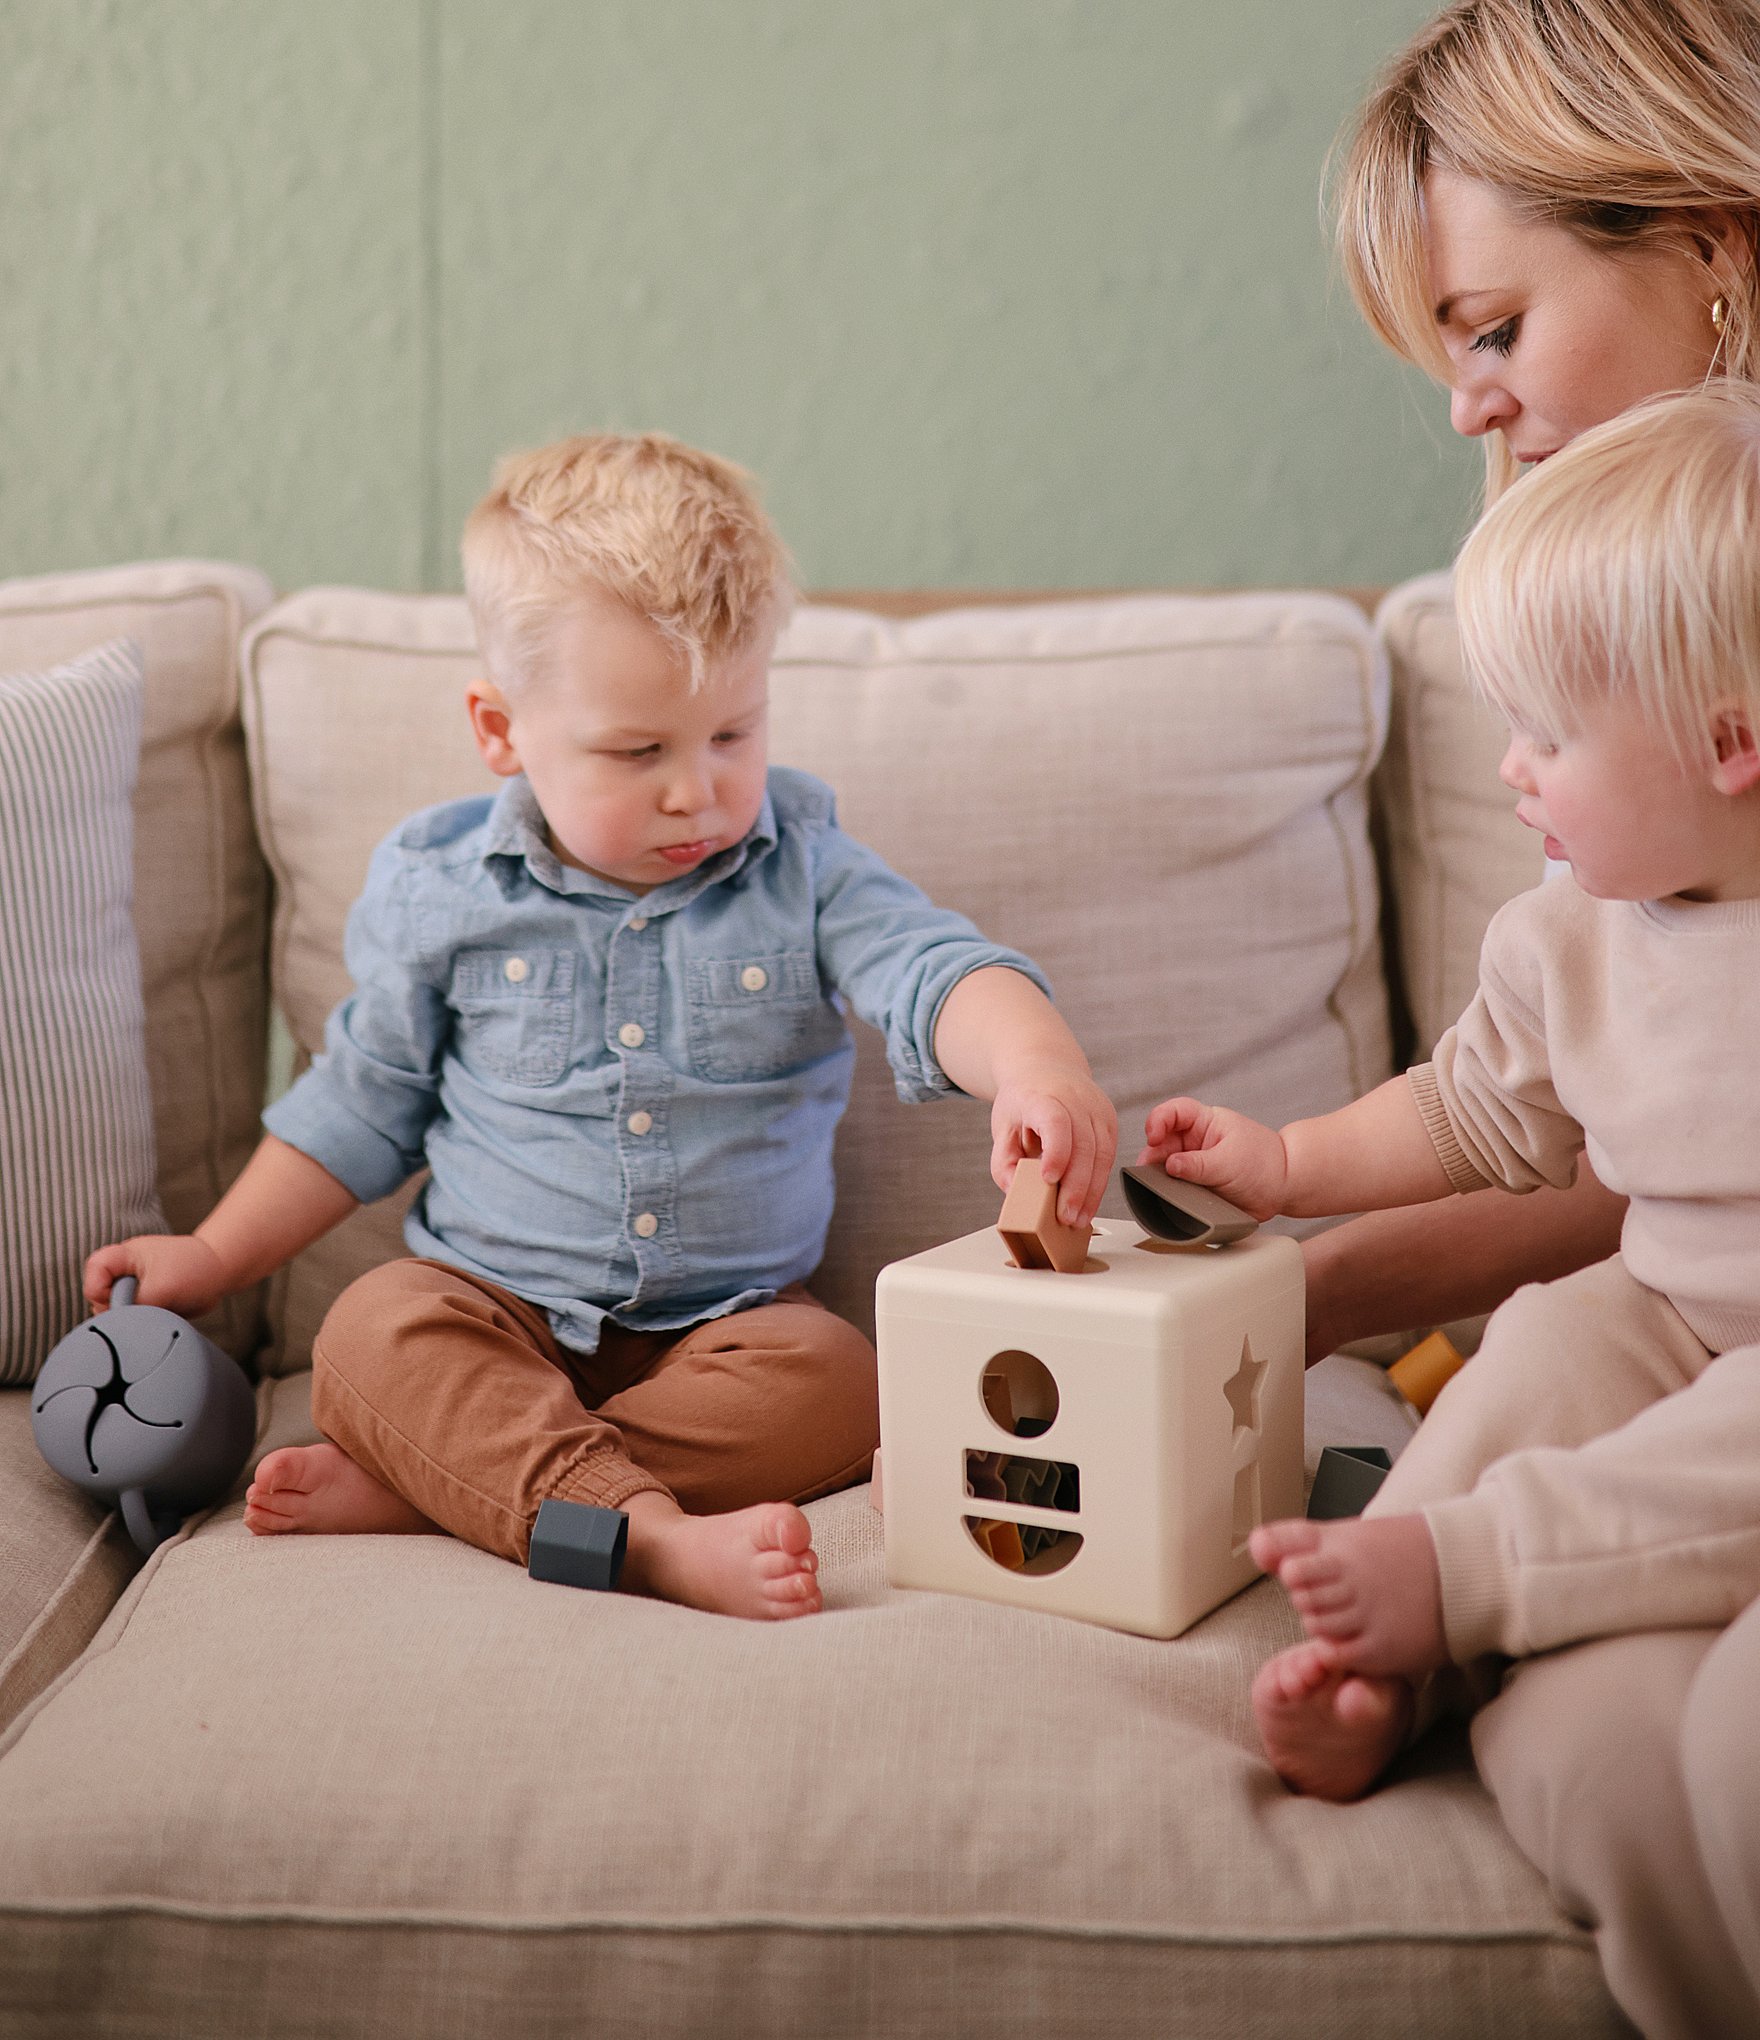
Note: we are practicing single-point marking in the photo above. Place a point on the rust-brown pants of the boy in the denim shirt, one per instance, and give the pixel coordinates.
(458, 1396)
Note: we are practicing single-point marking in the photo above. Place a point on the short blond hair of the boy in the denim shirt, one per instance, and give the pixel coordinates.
(672, 533)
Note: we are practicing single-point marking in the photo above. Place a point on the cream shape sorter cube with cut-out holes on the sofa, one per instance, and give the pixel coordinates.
(1094, 1445)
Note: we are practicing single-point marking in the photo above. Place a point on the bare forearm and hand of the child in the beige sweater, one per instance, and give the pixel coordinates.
(1365, 1158)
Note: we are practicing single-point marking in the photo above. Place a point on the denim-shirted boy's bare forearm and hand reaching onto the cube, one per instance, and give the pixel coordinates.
(1000, 1037)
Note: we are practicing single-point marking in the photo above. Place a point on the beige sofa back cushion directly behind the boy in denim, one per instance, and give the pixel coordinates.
(1159, 799)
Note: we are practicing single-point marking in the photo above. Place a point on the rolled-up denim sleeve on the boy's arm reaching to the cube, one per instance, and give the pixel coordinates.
(896, 956)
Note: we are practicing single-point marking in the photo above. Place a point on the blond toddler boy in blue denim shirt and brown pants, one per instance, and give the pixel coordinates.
(607, 1011)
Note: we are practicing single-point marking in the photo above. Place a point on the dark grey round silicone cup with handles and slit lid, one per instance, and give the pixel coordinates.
(142, 1411)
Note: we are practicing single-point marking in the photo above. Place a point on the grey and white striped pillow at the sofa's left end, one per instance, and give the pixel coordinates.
(76, 1127)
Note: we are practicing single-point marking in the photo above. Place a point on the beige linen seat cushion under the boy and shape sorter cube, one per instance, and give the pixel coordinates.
(393, 1786)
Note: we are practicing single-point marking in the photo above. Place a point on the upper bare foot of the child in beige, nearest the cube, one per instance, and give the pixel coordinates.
(1367, 1588)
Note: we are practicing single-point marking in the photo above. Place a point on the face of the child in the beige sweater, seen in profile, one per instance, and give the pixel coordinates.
(1628, 817)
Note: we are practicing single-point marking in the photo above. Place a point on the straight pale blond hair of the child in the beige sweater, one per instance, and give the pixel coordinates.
(1626, 568)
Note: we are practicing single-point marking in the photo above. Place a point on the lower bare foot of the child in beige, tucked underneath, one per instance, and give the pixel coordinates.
(1329, 1733)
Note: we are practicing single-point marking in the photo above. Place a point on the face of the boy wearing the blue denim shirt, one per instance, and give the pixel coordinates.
(639, 778)
